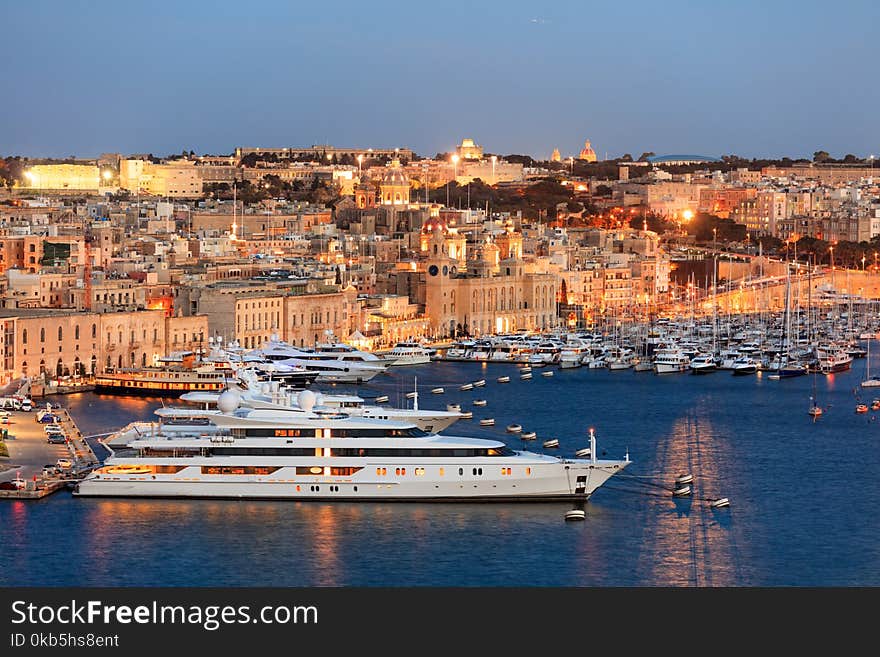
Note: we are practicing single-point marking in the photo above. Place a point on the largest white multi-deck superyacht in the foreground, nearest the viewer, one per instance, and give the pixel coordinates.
(309, 456)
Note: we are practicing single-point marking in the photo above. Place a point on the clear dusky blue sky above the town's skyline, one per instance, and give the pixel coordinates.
(755, 78)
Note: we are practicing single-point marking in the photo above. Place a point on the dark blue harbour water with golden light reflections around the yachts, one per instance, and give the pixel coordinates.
(803, 498)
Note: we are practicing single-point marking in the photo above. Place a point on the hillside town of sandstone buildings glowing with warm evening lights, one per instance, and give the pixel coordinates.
(119, 261)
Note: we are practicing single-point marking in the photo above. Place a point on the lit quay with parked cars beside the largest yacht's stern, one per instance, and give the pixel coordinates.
(29, 451)
